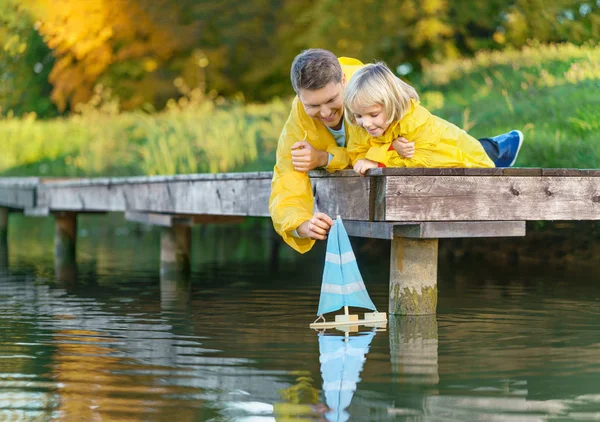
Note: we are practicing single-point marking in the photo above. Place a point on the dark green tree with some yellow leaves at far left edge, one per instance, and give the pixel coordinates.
(25, 62)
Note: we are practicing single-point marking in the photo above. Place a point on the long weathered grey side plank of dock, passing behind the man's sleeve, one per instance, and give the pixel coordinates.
(345, 196)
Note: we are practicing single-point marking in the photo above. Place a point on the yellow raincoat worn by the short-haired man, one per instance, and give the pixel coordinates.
(292, 201)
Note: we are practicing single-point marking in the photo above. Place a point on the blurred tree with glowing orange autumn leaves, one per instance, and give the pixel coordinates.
(91, 39)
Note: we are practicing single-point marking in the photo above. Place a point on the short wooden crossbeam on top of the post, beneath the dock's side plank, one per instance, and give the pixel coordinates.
(435, 229)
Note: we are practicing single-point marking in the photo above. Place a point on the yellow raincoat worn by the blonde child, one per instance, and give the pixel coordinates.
(438, 143)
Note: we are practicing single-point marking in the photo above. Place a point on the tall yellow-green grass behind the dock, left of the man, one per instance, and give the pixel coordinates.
(191, 136)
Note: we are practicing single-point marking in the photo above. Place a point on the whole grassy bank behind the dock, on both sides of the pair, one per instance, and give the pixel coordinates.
(548, 92)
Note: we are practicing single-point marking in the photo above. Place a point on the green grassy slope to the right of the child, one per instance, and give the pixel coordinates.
(548, 92)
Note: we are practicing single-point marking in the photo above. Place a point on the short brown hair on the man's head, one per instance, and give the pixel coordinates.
(315, 68)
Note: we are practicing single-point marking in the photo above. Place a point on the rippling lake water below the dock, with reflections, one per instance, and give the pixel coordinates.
(118, 343)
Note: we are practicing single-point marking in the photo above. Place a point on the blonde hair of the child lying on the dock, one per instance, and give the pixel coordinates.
(375, 84)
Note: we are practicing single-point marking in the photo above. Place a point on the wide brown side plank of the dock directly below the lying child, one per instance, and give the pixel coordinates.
(500, 198)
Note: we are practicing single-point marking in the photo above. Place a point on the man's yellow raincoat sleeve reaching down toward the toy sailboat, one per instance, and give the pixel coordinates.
(291, 201)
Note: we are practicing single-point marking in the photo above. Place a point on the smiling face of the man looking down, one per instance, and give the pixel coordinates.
(325, 104)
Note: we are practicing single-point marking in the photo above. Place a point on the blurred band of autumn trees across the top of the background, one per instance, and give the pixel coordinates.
(243, 50)
